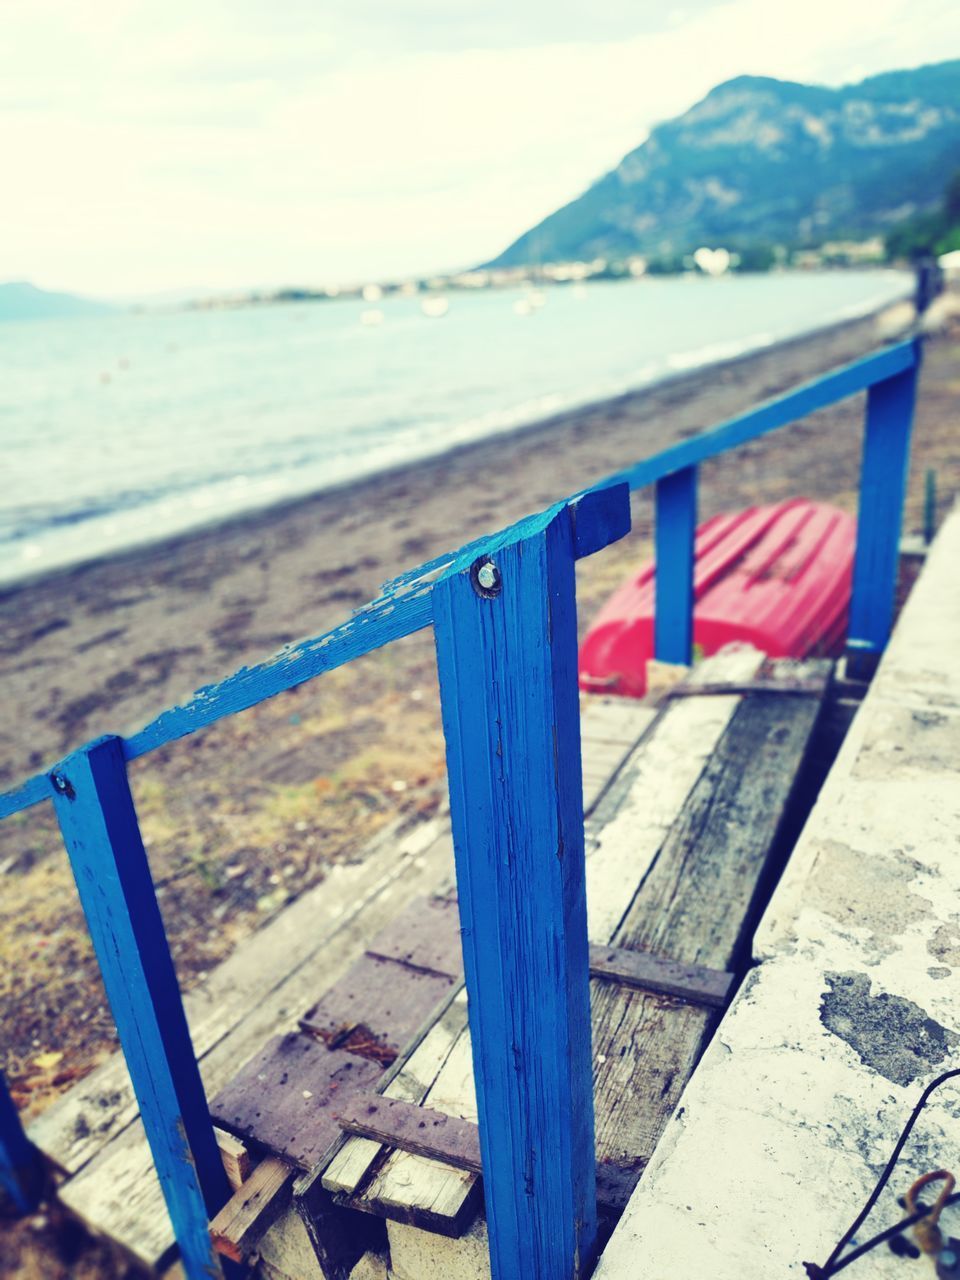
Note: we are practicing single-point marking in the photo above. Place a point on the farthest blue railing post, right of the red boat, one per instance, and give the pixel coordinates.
(886, 460)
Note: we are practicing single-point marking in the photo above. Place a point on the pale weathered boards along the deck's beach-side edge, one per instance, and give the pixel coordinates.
(93, 1137)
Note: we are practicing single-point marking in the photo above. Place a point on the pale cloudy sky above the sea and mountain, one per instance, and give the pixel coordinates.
(214, 145)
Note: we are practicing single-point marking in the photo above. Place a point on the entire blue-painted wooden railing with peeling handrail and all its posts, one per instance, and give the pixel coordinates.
(504, 612)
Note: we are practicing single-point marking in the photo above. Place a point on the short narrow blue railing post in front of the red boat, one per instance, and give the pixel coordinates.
(676, 536)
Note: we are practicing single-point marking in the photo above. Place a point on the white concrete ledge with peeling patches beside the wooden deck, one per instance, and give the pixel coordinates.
(854, 1005)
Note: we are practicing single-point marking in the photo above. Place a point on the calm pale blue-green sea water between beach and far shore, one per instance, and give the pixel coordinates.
(124, 429)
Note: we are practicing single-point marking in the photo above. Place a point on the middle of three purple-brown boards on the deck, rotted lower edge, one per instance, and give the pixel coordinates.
(377, 1007)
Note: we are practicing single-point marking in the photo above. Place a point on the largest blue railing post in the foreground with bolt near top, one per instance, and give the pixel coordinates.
(508, 655)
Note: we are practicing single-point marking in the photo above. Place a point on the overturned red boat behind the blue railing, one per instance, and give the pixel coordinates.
(778, 578)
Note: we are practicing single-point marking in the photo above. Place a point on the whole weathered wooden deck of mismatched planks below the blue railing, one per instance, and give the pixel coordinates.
(685, 810)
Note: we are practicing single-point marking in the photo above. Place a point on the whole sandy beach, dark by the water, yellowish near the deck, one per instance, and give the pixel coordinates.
(253, 812)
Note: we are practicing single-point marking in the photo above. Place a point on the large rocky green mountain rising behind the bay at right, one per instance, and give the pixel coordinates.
(767, 162)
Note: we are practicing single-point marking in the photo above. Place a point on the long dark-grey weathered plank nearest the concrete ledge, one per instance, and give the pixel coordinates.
(696, 904)
